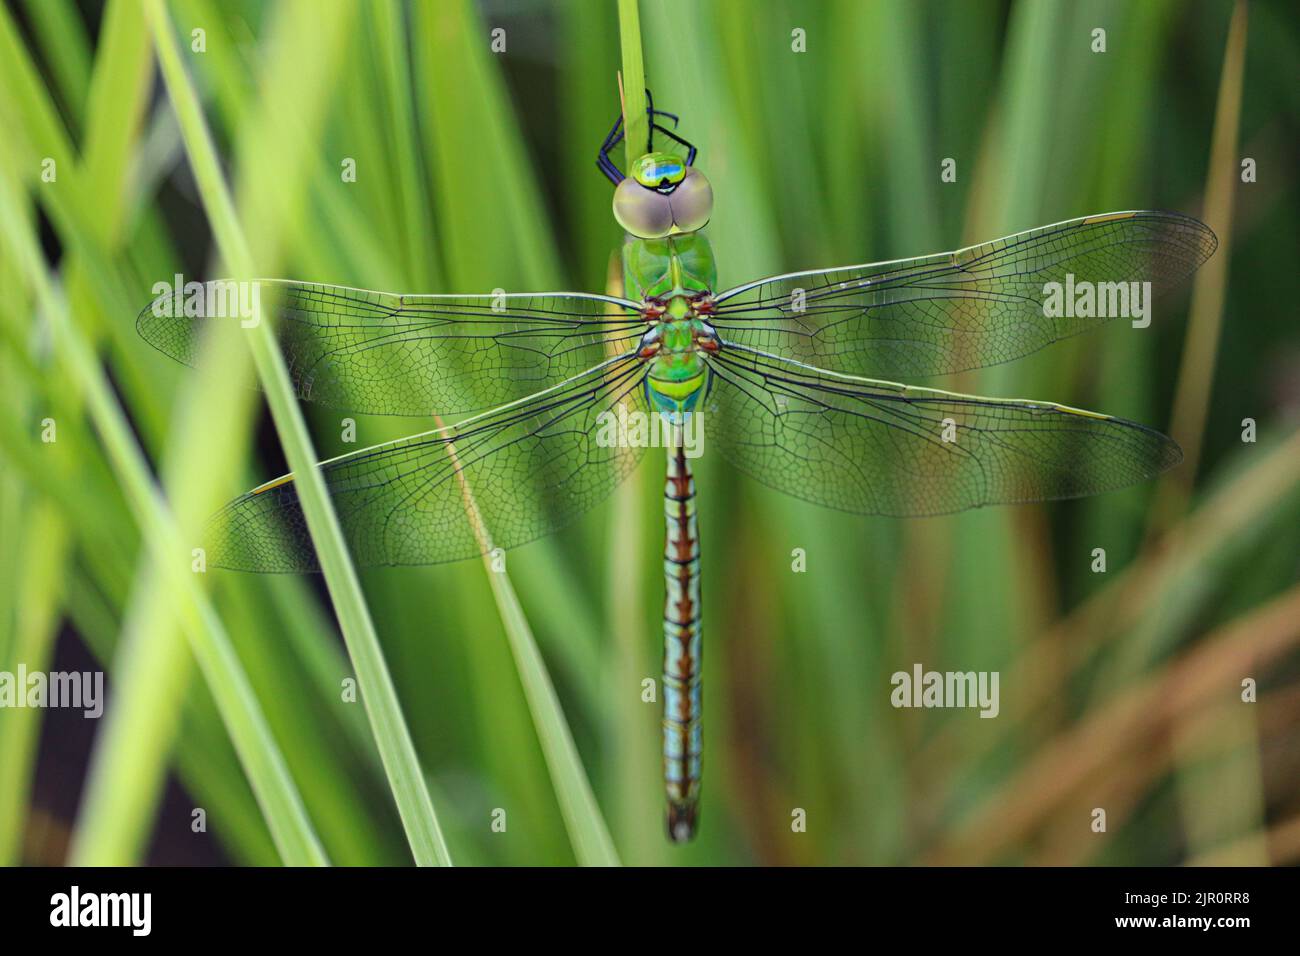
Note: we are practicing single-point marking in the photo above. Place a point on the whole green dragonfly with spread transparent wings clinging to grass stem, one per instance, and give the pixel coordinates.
(794, 379)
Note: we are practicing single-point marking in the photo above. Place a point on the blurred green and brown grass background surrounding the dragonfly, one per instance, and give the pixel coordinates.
(475, 170)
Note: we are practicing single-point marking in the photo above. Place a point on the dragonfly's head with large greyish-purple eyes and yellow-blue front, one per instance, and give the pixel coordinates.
(664, 197)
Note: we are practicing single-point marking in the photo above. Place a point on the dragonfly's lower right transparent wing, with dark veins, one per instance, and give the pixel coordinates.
(882, 449)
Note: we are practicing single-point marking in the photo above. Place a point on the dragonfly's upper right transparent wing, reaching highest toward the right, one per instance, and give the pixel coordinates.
(954, 312)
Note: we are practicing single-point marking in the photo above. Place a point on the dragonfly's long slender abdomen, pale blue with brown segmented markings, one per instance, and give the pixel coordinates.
(683, 734)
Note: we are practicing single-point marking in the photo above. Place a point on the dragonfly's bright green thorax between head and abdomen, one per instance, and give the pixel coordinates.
(674, 271)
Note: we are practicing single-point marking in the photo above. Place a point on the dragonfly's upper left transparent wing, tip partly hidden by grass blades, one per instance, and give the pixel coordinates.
(391, 354)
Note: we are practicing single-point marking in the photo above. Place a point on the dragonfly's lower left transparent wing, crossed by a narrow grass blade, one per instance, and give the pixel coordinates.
(527, 470)
